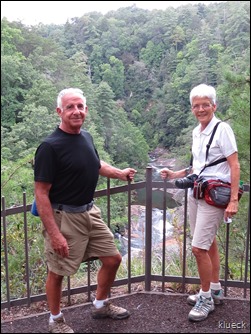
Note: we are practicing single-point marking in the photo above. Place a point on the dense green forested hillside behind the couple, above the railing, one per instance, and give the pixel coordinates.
(136, 68)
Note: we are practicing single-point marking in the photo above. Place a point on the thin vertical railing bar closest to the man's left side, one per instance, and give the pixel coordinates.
(27, 267)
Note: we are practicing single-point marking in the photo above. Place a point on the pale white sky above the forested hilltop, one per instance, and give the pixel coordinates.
(57, 12)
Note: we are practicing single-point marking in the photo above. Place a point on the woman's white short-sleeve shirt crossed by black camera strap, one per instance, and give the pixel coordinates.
(223, 145)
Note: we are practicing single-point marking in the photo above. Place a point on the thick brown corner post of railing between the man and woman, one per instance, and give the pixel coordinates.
(148, 229)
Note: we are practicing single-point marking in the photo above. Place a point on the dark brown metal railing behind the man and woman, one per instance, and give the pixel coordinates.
(147, 276)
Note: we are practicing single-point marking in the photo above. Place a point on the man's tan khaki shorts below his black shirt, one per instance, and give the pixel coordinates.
(87, 236)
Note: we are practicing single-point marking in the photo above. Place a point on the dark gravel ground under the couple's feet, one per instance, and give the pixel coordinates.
(151, 312)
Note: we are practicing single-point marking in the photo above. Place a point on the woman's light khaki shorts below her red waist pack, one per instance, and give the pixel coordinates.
(204, 220)
